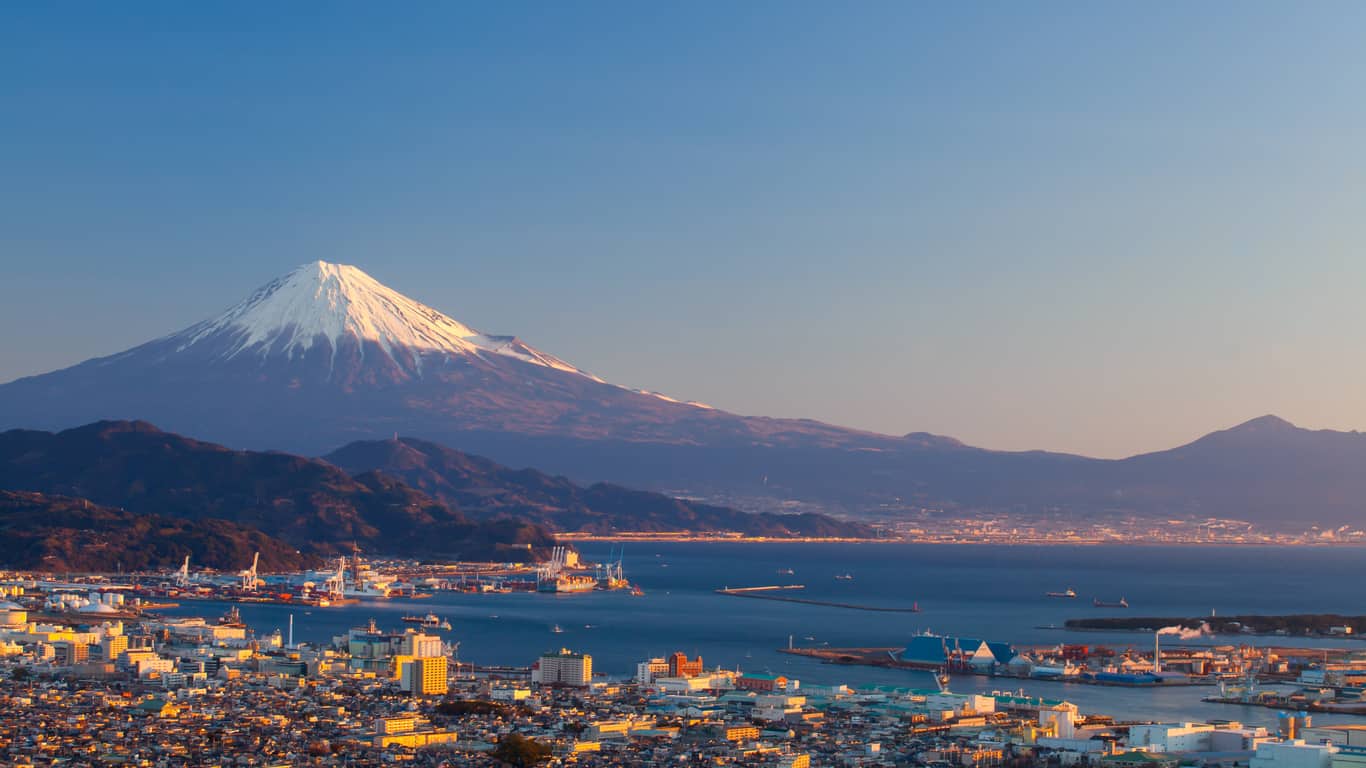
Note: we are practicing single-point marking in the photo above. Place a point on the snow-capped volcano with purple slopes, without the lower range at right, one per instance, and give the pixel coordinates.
(327, 355)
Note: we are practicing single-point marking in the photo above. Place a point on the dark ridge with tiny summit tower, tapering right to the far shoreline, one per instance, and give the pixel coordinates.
(484, 489)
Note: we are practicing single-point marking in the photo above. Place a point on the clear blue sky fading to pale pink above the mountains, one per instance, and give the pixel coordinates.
(1091, 228)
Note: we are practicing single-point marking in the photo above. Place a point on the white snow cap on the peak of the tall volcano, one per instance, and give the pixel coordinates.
(338, 305)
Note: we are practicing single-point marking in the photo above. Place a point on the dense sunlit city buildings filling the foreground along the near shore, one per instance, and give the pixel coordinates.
(87, 684)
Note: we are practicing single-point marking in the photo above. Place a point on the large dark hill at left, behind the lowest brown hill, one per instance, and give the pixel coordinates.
(312, 505)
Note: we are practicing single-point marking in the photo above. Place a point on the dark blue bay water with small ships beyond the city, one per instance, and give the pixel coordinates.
(992, 592)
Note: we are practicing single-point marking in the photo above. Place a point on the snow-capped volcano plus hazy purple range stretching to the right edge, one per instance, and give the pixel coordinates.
(327, 356)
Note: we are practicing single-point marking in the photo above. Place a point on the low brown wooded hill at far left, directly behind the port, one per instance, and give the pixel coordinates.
(59, 534)
